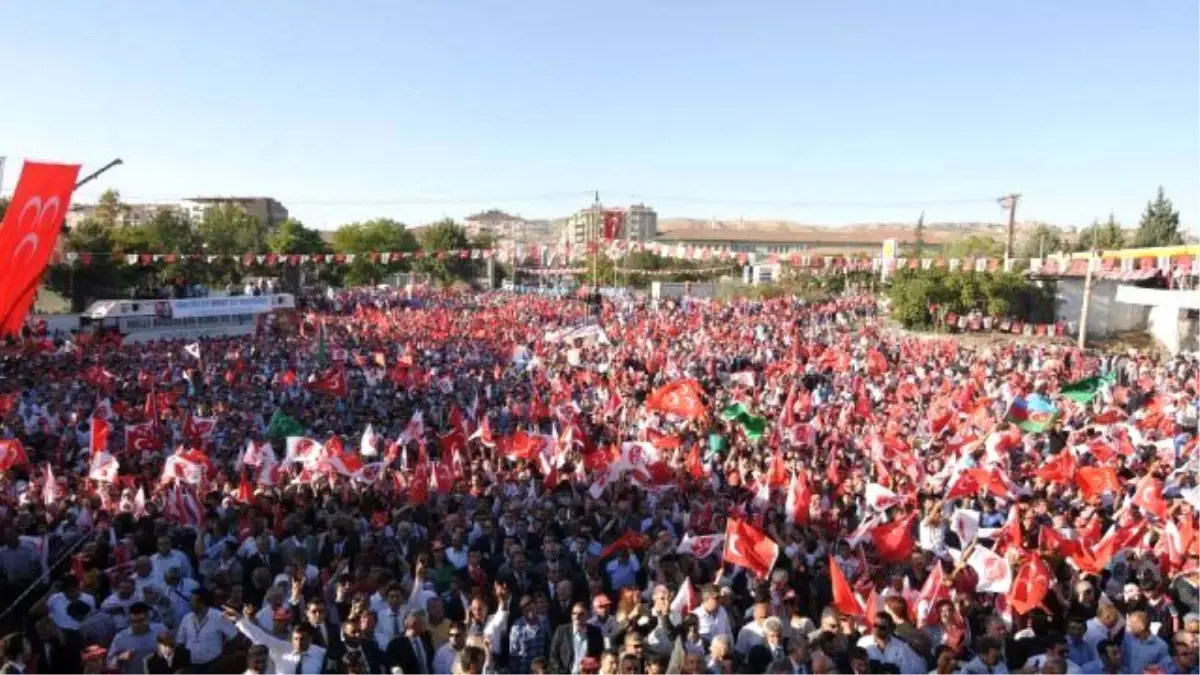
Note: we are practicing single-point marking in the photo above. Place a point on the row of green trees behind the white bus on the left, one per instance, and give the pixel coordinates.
(230, 232)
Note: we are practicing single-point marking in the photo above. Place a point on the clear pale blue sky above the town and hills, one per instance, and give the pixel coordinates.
(819, 112)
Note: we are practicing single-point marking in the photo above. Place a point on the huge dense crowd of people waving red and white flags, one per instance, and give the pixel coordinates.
(509, 485)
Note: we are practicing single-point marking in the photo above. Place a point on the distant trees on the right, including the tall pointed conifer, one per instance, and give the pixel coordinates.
(1160, 226)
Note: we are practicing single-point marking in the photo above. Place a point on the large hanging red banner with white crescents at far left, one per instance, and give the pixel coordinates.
(29, 235)
